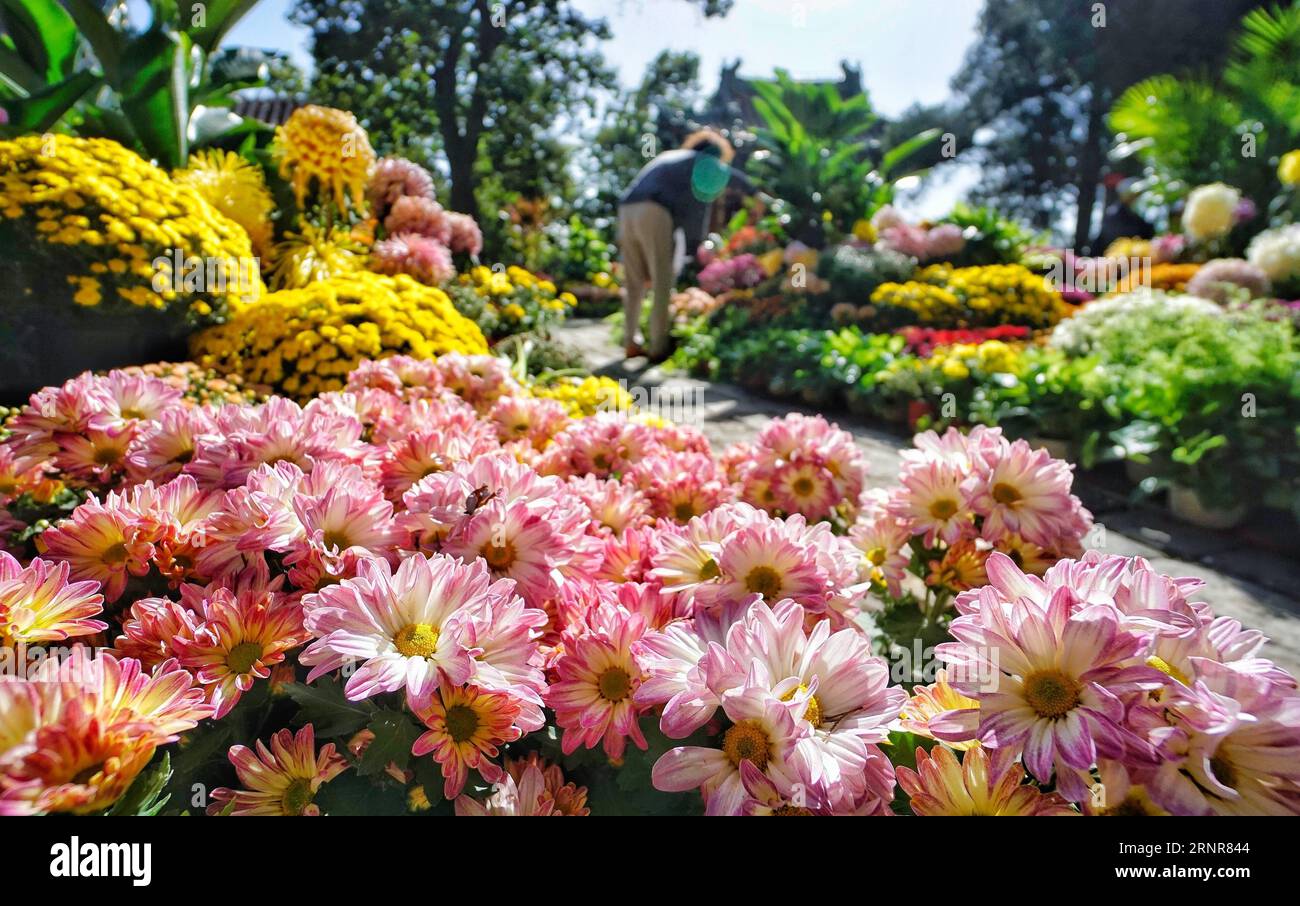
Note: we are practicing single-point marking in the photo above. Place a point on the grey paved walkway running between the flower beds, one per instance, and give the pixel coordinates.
(1255, 586)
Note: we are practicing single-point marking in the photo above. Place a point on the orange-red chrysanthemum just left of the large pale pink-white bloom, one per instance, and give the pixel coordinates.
(241, 638)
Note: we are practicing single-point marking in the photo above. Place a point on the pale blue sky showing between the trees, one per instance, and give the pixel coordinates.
(908, 49)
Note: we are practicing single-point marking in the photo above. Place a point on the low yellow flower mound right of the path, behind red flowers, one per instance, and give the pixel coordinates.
(989, 296)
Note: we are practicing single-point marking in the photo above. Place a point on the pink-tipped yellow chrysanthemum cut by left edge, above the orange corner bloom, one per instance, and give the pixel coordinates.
(40, 605)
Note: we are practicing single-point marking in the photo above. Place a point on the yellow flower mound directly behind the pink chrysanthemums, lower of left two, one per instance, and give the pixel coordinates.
(305, 343)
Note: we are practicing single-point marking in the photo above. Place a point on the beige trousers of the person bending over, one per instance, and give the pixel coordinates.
(647, 246)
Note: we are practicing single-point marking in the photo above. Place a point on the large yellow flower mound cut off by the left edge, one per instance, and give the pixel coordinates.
(116, 227)
